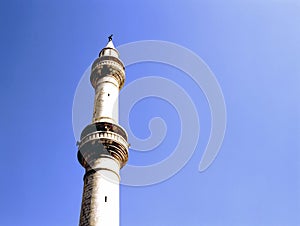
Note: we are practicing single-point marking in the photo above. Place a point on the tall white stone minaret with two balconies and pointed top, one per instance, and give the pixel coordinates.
(103, 147)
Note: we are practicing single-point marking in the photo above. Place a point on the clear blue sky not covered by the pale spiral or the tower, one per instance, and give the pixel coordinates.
(251, 46)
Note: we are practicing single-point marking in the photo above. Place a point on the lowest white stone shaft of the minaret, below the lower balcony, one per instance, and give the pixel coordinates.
(100, 200)
